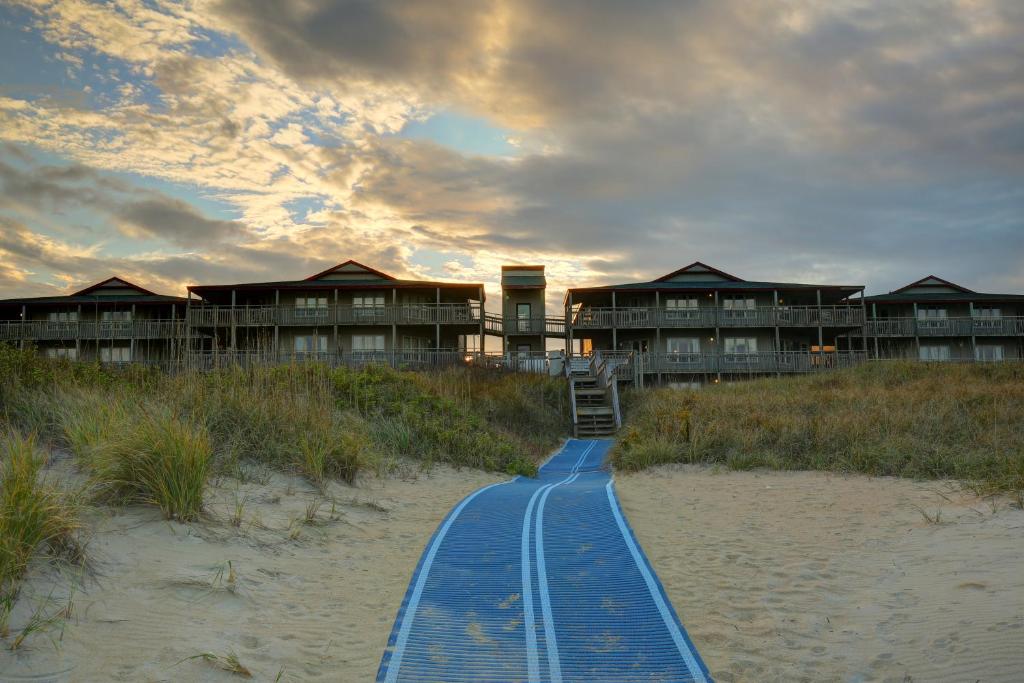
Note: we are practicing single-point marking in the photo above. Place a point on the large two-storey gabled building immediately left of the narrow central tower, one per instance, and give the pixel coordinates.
(348, 313)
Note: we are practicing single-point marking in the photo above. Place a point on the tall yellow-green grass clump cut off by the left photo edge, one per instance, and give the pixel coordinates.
(34, 517)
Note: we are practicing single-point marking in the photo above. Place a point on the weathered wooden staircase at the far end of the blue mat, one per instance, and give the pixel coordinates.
(594, 396)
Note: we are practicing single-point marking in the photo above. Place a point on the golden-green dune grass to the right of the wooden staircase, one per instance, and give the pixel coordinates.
(912, 420)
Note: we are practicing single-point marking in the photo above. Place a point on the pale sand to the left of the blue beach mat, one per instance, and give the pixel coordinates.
(316, 601)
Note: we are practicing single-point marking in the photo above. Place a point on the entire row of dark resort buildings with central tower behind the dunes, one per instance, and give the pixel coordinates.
(692, 326)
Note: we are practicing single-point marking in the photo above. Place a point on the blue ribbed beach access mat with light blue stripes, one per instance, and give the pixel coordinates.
(540, 580)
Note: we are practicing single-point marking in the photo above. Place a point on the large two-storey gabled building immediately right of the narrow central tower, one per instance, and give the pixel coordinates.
(700, 322)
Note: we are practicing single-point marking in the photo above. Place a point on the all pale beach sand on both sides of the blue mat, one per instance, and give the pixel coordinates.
(778, 576)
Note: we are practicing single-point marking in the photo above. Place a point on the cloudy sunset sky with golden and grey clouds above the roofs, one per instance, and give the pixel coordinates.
(230, 141)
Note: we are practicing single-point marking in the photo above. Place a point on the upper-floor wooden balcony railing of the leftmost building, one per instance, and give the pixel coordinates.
(70, 331)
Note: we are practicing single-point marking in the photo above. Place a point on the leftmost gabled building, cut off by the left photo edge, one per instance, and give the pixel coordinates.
(114, 322)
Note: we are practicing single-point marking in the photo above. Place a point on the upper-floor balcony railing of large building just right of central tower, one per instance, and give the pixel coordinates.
(712, 317)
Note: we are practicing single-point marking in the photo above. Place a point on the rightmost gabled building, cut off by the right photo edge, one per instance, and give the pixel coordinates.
(936, 320)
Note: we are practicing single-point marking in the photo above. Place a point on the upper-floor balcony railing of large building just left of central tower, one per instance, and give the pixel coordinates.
(426, 314)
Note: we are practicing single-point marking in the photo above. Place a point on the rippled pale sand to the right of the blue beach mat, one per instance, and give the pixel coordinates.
(806, 577)
